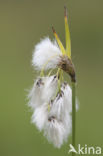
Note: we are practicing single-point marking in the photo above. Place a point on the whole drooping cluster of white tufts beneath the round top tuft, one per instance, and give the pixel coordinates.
(55, 121)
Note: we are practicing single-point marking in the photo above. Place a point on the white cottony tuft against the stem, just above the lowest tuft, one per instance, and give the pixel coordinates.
(62, 103)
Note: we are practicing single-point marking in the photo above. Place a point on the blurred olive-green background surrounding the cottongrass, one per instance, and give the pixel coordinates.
(22, 24)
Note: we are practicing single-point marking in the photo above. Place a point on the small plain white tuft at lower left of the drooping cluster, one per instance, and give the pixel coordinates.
(40, 116)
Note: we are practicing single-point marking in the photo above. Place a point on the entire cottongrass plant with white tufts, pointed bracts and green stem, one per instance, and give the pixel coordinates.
(51, 98)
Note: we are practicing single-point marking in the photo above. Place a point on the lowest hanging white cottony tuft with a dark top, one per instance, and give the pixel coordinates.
(57, 131)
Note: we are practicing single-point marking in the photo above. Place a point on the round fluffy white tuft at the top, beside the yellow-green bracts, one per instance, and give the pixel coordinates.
(46, 55)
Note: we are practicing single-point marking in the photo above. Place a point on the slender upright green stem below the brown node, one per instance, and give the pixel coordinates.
(73, 114)
